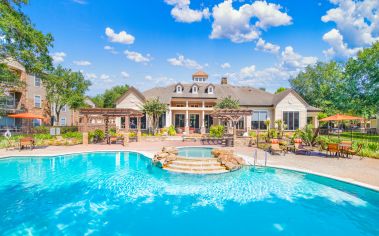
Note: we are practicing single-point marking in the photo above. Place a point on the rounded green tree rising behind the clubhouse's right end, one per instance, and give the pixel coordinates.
(322, 86)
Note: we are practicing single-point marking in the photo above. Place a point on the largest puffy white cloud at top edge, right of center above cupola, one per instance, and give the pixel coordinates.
(235, 24)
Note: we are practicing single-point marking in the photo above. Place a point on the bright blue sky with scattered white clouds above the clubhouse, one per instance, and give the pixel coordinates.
(159, 42)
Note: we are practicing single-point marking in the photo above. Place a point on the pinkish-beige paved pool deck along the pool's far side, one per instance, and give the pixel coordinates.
(364, 172)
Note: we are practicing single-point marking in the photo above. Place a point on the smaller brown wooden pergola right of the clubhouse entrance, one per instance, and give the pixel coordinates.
(232, 115)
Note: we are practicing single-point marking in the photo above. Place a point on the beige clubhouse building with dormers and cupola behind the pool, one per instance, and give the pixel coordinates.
(190, 106)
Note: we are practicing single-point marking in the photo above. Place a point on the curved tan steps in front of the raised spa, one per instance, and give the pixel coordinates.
(196, 166)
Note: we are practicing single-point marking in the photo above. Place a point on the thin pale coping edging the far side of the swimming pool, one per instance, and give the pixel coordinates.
(150, 155)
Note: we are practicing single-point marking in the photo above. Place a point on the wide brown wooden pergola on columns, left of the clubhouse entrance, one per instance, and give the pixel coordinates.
(107, 113)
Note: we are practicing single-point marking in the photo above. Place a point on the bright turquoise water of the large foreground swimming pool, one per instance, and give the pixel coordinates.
(123, 194)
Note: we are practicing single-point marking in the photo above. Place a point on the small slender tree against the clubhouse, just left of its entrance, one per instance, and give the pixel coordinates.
(153, 108)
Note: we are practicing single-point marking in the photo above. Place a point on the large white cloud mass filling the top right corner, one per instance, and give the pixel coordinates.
(357, 26)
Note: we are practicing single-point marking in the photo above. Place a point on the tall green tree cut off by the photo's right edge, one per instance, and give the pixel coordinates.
(362, 82)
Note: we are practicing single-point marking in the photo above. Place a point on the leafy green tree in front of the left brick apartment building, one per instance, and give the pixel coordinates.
(65, 87)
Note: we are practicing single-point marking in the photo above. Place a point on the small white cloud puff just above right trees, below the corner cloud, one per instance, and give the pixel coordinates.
(338, 49)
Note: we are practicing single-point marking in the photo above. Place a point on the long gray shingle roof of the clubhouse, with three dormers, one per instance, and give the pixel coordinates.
(247, 96)
